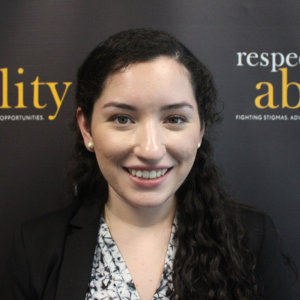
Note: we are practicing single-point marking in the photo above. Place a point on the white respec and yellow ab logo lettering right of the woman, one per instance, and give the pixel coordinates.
(273, 96)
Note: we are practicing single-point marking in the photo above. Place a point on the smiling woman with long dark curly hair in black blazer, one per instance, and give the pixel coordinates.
(150, 219)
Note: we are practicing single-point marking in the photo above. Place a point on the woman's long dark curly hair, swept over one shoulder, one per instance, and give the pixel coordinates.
(210, 256)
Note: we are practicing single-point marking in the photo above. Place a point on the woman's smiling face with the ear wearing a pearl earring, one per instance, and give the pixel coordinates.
(145, 128)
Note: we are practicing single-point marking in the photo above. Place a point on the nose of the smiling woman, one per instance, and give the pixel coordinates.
(149, 142)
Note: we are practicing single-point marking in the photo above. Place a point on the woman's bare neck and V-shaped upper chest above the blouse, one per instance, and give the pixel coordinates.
(142, 235)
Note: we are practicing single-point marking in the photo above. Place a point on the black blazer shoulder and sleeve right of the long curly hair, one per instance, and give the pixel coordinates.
(262, 239)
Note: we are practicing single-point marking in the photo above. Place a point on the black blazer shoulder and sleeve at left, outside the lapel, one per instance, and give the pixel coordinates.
(36, 254)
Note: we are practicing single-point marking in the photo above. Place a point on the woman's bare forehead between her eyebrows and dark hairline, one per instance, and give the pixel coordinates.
(162, 79)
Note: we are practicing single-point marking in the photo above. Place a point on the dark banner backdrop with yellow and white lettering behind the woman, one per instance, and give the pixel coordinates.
(251, 47)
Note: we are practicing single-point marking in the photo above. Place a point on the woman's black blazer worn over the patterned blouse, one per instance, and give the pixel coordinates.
(52, 256)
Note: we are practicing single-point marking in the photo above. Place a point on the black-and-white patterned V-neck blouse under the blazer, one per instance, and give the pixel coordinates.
(110, 277)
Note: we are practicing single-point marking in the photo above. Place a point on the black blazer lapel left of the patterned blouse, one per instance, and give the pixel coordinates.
(75, 272)
